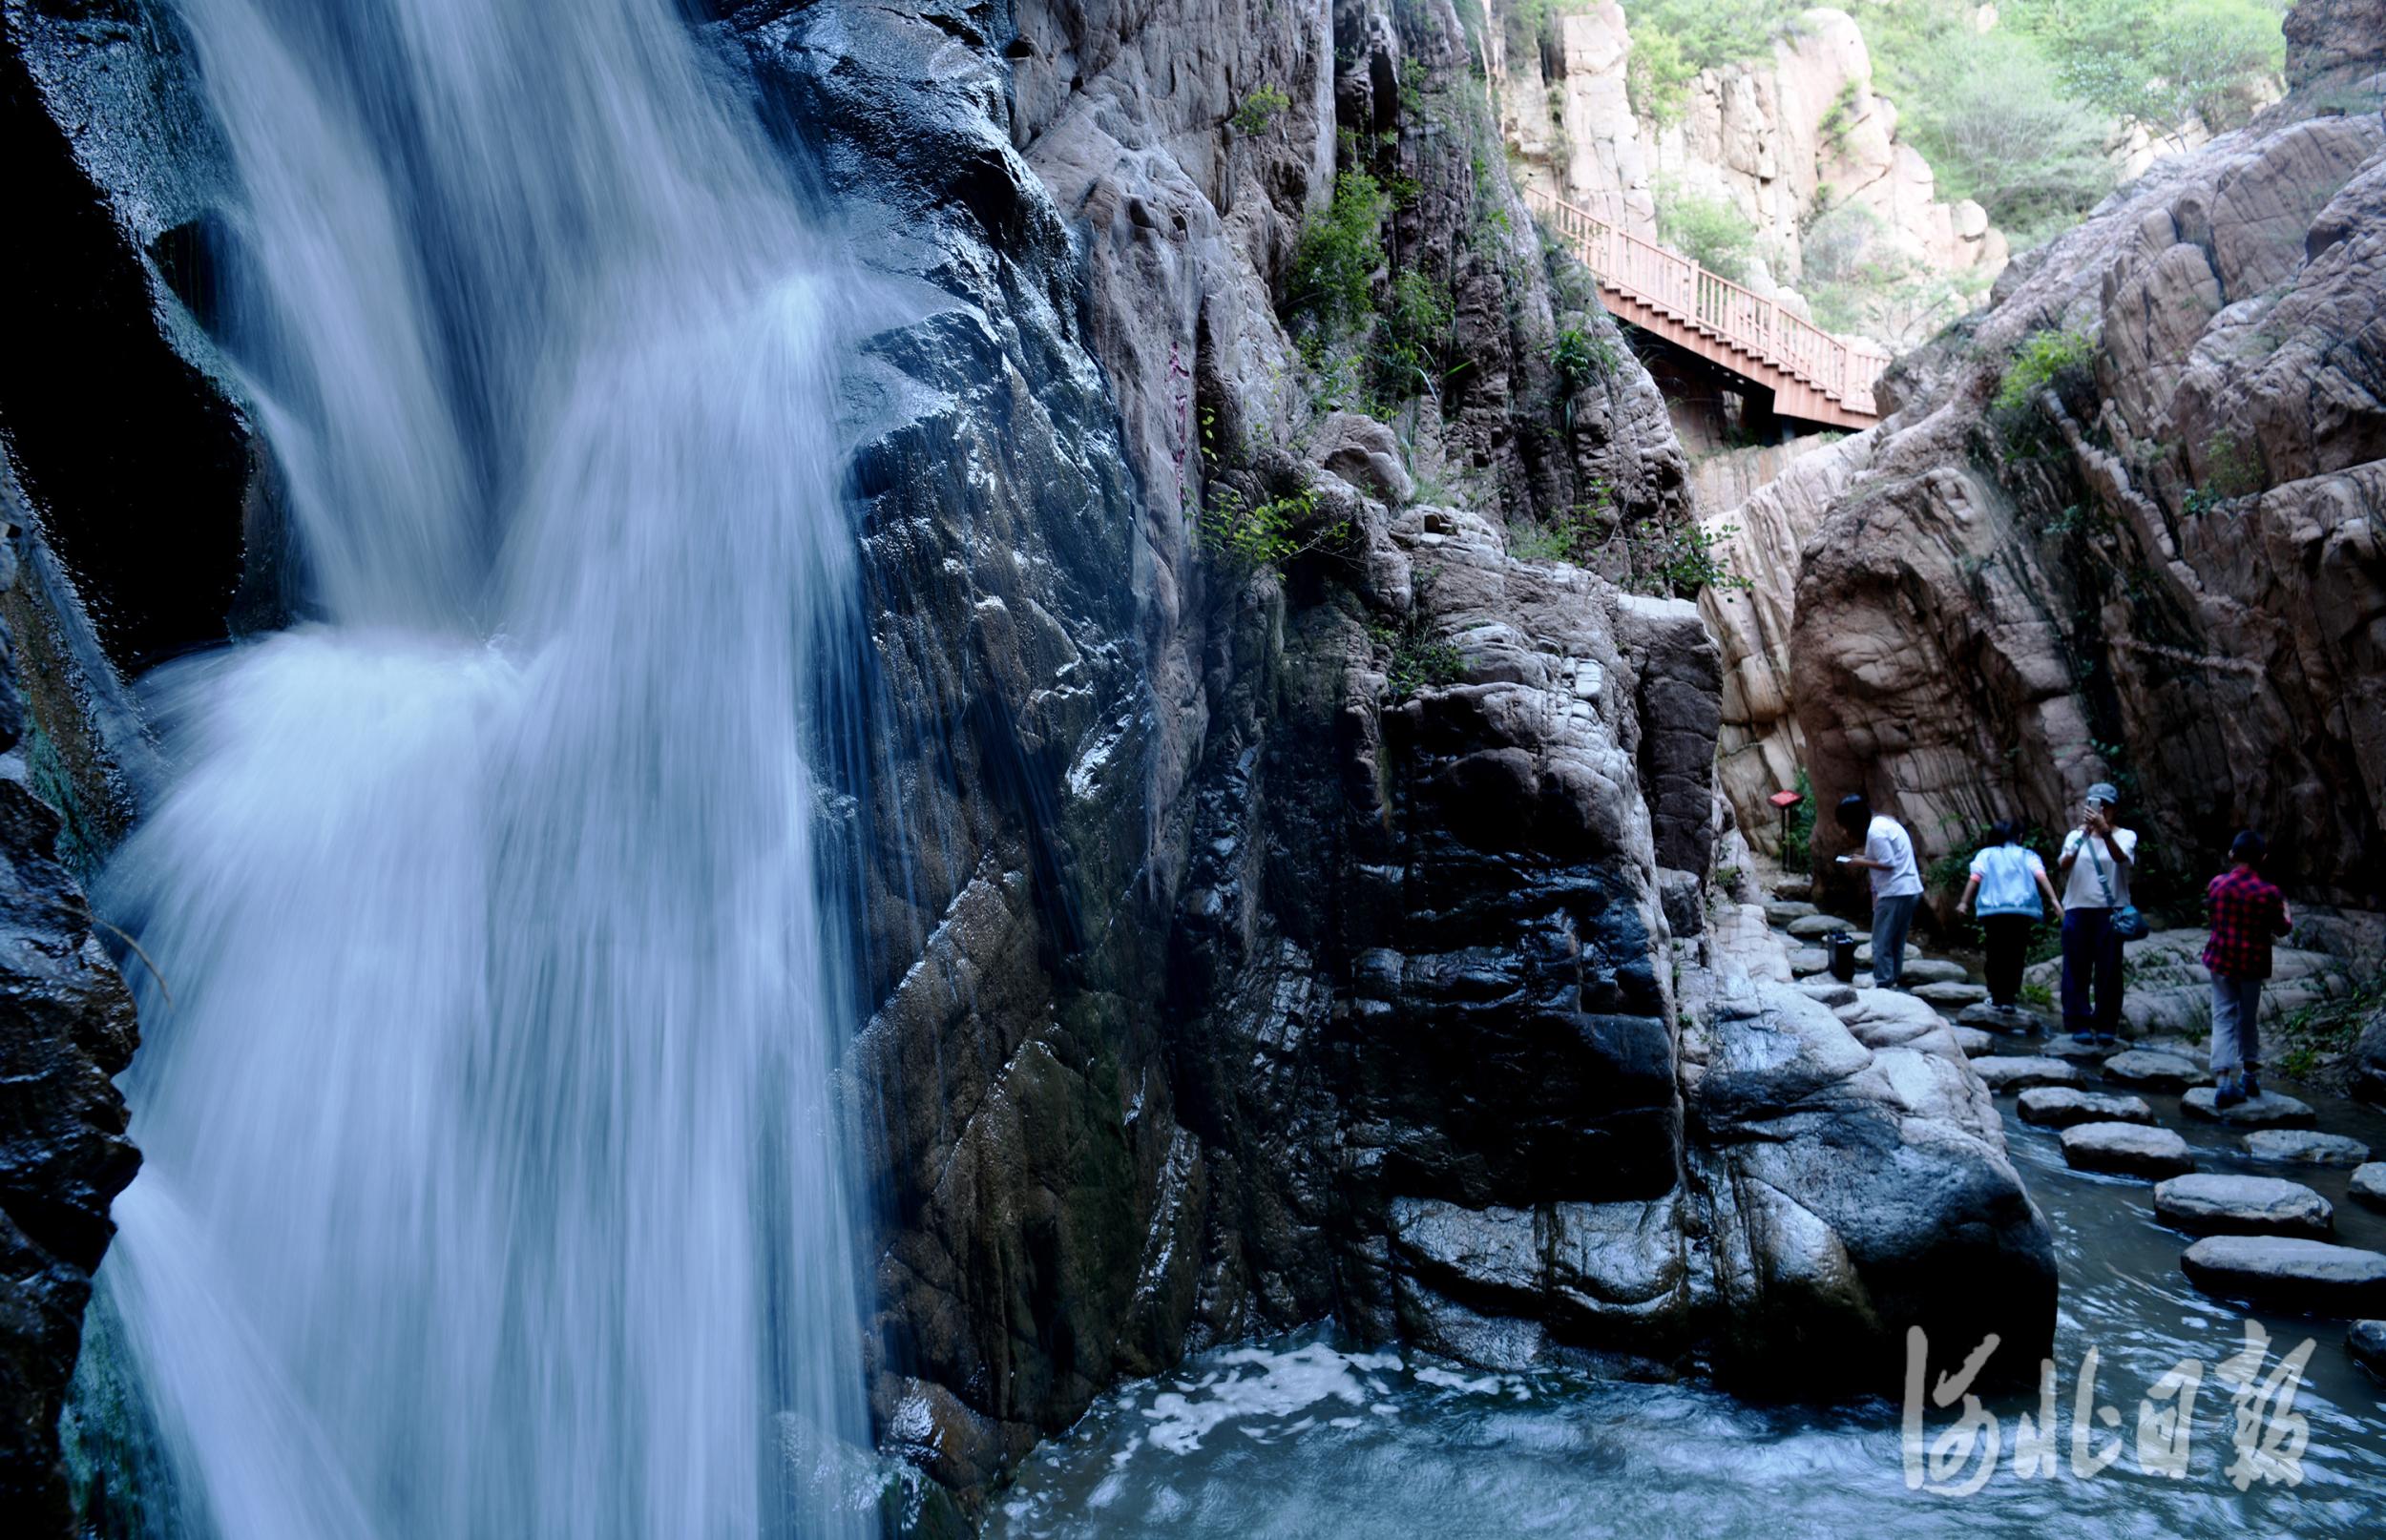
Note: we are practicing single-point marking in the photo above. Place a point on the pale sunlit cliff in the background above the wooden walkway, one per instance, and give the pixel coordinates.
(1784, 139)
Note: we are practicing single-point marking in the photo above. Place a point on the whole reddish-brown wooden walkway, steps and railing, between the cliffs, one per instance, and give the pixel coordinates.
(1812, 375)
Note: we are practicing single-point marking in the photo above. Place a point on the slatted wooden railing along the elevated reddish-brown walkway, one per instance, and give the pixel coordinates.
(1674, 285)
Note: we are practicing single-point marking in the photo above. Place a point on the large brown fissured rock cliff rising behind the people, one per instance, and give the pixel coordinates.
(2163, 564)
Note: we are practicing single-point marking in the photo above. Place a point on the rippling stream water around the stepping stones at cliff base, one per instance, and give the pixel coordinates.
(1318, 1436)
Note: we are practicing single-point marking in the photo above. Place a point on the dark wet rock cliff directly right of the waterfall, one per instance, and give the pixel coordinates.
(1256, 943)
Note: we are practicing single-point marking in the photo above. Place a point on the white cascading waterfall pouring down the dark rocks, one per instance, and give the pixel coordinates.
(490, 1167)
